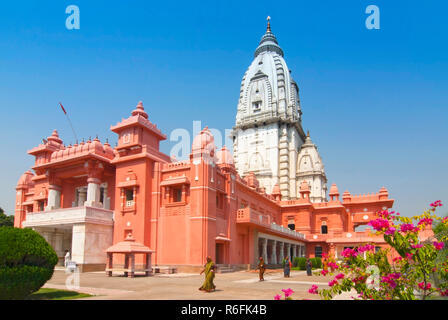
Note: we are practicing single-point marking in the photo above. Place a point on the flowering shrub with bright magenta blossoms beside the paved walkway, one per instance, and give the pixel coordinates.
(409, 276)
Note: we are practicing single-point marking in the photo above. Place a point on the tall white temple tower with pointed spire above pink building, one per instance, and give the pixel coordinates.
(268, 133)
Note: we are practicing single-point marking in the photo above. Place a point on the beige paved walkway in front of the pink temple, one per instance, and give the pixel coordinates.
(242, 285)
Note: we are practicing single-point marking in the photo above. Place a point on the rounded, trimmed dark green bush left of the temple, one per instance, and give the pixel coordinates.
(26, 262)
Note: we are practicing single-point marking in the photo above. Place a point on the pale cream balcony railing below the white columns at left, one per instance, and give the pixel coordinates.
(69, 216)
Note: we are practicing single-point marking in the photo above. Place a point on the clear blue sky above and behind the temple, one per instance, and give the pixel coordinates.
(375, 101)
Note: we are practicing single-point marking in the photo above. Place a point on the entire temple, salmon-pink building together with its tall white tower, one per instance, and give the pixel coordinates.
(268, 200)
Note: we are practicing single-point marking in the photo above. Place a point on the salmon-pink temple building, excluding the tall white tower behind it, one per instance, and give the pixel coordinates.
(87, 197)
